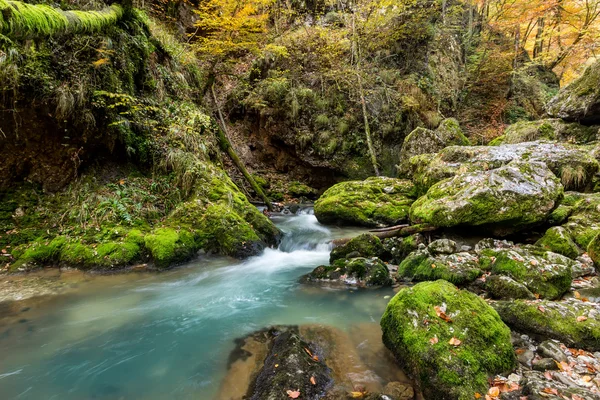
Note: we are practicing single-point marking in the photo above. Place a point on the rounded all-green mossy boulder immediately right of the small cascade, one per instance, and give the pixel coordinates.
(376, 201)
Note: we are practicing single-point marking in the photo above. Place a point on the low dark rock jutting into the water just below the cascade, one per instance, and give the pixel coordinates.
(354, 272)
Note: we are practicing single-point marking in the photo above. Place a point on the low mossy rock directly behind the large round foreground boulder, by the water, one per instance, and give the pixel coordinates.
(423, 265)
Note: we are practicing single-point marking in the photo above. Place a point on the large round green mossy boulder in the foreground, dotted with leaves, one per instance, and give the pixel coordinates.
(449, 360)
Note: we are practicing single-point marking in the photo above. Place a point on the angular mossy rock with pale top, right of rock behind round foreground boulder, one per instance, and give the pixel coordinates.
(546, 274)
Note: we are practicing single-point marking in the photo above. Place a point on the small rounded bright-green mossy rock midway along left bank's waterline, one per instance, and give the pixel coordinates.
(168, 246)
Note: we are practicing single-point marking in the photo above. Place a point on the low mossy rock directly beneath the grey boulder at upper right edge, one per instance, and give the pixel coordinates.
(549, 129)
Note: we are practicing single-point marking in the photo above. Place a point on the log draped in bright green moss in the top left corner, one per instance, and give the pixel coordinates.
(23, 20)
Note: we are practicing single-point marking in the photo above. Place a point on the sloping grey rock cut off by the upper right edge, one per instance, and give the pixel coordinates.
(580, 101)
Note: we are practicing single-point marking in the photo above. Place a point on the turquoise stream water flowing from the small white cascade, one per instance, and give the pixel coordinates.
(170, 335)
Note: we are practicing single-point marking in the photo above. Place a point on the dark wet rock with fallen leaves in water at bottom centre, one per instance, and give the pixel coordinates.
(289, 366)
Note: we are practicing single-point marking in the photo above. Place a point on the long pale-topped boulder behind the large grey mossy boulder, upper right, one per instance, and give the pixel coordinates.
(574, 165)
